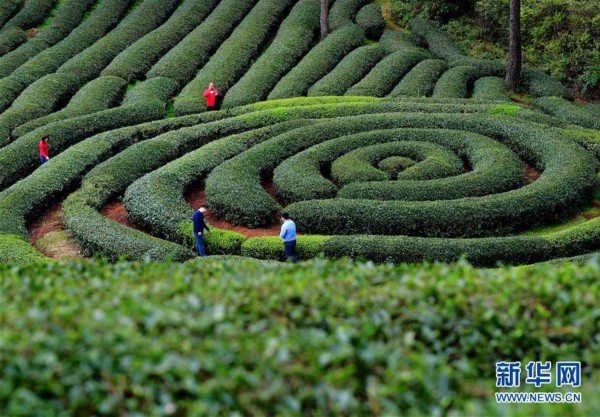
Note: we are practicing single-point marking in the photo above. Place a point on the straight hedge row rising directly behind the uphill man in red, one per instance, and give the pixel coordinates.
(234, 56)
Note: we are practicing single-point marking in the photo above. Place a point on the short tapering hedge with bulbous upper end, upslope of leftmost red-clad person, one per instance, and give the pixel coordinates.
(97, 95)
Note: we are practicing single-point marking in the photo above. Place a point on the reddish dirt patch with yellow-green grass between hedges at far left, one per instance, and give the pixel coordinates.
(48, 235)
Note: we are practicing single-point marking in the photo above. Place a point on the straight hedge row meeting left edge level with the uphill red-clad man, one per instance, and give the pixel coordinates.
(101, 21)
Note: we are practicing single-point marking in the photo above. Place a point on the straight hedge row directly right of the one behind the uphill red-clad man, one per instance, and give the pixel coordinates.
(295, 37)
